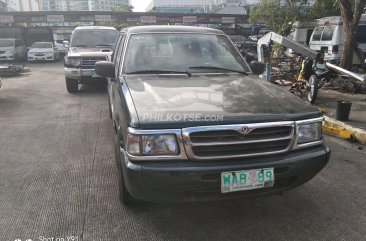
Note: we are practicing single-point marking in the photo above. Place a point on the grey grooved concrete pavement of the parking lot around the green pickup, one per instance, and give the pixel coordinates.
(58, 180)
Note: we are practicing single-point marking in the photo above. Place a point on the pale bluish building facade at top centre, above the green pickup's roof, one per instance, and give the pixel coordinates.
(201, 6)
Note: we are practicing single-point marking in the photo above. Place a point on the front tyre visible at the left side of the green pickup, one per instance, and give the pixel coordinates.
(123, 194)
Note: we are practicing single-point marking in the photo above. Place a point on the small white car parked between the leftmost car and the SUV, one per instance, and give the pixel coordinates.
(43, 51)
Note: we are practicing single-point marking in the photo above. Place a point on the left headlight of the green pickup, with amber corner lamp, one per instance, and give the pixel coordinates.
(152, 145)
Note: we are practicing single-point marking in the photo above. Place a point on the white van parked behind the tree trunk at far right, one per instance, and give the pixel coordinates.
(328, 37)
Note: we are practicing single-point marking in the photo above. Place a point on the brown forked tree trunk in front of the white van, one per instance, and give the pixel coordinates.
(351, 14)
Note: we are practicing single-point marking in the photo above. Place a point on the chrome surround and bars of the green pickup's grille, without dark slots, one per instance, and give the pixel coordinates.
(188, 144)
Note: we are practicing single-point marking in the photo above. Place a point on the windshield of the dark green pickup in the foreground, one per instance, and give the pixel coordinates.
(182, 52)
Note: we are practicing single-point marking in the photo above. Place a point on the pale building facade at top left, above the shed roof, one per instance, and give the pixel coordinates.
(82, 5)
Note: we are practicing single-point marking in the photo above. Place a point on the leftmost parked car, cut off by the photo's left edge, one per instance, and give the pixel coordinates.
(12, 49)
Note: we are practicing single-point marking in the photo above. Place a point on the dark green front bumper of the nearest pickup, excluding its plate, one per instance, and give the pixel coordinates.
(200, 181)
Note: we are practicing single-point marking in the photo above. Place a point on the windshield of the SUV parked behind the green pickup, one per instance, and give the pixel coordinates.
(94, 37)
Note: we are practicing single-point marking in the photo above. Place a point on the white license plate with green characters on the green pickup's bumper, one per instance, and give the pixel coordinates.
(246, 180)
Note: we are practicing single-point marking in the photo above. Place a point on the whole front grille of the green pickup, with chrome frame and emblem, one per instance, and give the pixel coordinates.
(234, 141)
